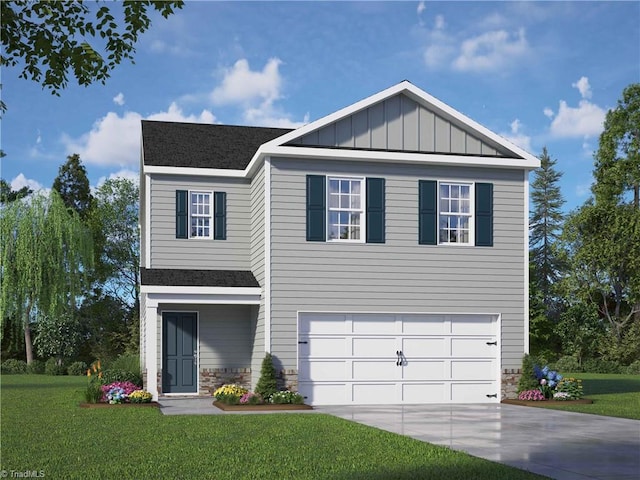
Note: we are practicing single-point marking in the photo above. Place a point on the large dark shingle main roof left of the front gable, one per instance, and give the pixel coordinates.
(174, 144)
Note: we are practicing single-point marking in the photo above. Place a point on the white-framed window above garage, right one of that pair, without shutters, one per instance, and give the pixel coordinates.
(454, 213)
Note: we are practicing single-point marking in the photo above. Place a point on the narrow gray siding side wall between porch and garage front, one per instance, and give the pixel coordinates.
(257, 264)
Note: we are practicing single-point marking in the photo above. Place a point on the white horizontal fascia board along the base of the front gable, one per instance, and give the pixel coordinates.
(399, 157)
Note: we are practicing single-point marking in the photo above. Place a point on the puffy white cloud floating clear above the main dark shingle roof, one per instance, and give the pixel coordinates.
(241, 85)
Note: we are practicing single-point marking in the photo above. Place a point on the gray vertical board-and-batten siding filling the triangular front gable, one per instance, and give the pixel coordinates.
(400, 123)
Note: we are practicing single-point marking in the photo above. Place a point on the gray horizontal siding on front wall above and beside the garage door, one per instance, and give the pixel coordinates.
(399, 276)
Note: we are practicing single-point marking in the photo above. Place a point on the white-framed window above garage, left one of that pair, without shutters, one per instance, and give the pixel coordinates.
(345, 208)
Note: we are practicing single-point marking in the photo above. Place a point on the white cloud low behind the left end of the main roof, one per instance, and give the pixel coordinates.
(115, 139)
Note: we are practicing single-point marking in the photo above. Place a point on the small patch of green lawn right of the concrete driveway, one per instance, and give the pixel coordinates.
(612, 395)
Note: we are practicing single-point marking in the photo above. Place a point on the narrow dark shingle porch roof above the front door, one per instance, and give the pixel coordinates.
(197, 278)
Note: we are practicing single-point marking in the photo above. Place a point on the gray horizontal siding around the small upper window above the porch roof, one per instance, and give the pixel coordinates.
(167, 251)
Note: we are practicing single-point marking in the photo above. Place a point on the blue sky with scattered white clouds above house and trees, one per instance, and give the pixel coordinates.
(540, 73)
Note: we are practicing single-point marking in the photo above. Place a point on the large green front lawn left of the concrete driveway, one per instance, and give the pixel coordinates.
(43, 429)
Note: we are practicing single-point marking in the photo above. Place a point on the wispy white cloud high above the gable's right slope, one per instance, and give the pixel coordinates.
(491, 50)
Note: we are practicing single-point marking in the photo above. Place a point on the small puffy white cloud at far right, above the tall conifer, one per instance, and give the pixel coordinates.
(584, 120)
